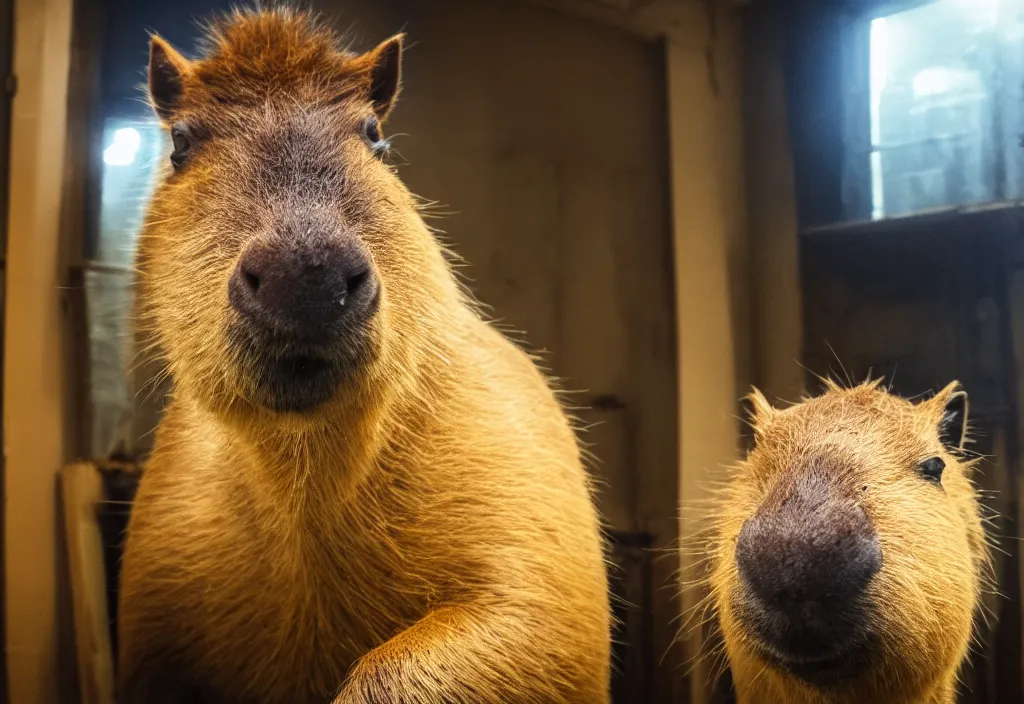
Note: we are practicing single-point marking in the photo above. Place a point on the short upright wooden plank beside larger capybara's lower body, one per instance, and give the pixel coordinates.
(82, 490)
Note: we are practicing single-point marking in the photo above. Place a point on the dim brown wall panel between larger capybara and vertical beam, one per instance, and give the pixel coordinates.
(544, 137)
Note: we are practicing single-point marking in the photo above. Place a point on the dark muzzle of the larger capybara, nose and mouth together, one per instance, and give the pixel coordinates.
(304, 312)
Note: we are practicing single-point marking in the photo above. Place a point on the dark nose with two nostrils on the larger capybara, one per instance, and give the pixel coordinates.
(306, 291)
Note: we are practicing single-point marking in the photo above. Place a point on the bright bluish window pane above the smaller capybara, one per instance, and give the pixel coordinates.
(946, 79)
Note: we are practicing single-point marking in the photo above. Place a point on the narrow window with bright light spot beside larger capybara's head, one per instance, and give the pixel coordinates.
(131, 151)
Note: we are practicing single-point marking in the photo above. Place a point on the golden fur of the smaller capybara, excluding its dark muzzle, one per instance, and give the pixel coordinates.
(935, 556)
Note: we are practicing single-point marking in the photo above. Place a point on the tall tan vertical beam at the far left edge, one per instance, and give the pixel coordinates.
(35, 401)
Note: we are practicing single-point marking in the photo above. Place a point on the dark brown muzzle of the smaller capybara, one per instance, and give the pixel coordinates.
(807, 562)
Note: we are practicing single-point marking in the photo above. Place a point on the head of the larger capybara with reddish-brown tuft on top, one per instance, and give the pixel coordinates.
(282, 265)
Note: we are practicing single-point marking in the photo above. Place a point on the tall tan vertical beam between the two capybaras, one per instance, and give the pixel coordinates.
(711, 252)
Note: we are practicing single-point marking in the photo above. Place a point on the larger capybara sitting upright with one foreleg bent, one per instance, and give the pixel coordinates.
(360, 492)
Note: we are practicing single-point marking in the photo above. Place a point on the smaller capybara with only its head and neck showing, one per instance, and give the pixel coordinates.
(848, 557)
